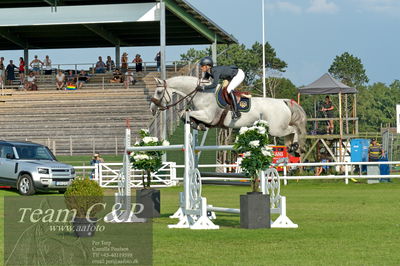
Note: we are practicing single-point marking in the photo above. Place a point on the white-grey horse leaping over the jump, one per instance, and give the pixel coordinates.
(285, 117)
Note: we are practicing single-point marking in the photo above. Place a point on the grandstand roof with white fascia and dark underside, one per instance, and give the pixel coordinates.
(48, 24)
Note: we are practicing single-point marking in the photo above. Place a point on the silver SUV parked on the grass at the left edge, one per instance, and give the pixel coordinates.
(29, 167)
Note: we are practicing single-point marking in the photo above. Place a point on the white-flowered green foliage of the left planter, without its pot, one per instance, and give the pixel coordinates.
(148, 161)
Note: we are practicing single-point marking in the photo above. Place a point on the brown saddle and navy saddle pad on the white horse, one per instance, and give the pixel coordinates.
(242, 98)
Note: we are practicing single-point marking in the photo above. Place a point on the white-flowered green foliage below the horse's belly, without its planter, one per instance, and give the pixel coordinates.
(253, 142)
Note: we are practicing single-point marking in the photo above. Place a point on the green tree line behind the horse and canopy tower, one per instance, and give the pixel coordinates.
(376, 103)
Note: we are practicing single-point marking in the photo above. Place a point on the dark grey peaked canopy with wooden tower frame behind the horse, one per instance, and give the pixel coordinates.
(326, 85)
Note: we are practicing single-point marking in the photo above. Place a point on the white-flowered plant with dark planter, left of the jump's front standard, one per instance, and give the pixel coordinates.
(149, 162)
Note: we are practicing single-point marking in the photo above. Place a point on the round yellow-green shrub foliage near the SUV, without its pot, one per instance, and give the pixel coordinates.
(82, 194)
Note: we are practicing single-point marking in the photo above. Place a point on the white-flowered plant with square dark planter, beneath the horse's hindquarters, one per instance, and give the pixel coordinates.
(252, 143)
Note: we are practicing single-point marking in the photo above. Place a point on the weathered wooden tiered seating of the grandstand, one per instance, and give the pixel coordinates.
(81, 121)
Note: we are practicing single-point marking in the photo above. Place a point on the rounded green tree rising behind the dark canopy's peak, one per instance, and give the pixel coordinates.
(349, 70)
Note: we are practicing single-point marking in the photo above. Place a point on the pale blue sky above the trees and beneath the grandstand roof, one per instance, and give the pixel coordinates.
(306, 34)
